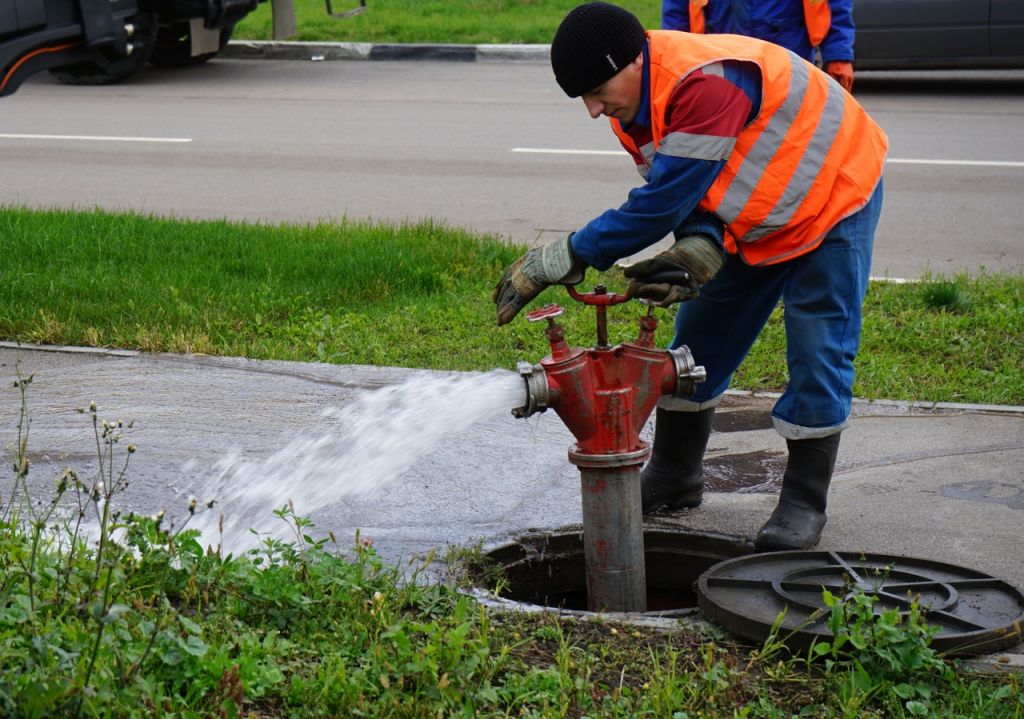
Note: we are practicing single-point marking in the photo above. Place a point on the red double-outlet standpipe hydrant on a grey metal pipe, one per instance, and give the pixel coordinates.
(605, 396)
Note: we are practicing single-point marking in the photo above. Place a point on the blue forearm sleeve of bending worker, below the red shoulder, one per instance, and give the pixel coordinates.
(674, 188)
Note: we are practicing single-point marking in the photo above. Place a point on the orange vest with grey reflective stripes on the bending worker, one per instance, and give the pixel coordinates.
(810, 158)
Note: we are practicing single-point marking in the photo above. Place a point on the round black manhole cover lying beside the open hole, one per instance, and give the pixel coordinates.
(975, 614)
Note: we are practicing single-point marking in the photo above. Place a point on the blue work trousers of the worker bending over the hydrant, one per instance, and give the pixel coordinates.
(822, 292)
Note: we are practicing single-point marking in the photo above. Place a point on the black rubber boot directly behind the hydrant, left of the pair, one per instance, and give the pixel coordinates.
(674, 477)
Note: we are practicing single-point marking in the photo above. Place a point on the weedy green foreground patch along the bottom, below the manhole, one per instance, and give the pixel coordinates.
(111, 615)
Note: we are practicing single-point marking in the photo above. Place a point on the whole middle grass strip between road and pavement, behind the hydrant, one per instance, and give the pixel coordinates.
(420, 297)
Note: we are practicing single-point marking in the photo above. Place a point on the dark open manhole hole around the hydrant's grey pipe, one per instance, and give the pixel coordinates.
(549, 570)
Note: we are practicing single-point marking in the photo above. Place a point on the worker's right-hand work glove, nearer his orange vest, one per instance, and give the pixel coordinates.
(678, 274)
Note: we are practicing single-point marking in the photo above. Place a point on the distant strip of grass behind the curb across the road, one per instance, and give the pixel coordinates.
(431, 21)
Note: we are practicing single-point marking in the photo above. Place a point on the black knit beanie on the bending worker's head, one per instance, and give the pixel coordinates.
(594, 44)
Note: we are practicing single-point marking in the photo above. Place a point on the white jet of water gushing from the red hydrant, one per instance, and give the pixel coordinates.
(364, 446)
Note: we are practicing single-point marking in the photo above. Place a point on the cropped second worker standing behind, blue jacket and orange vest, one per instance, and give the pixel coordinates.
(800, 26)
